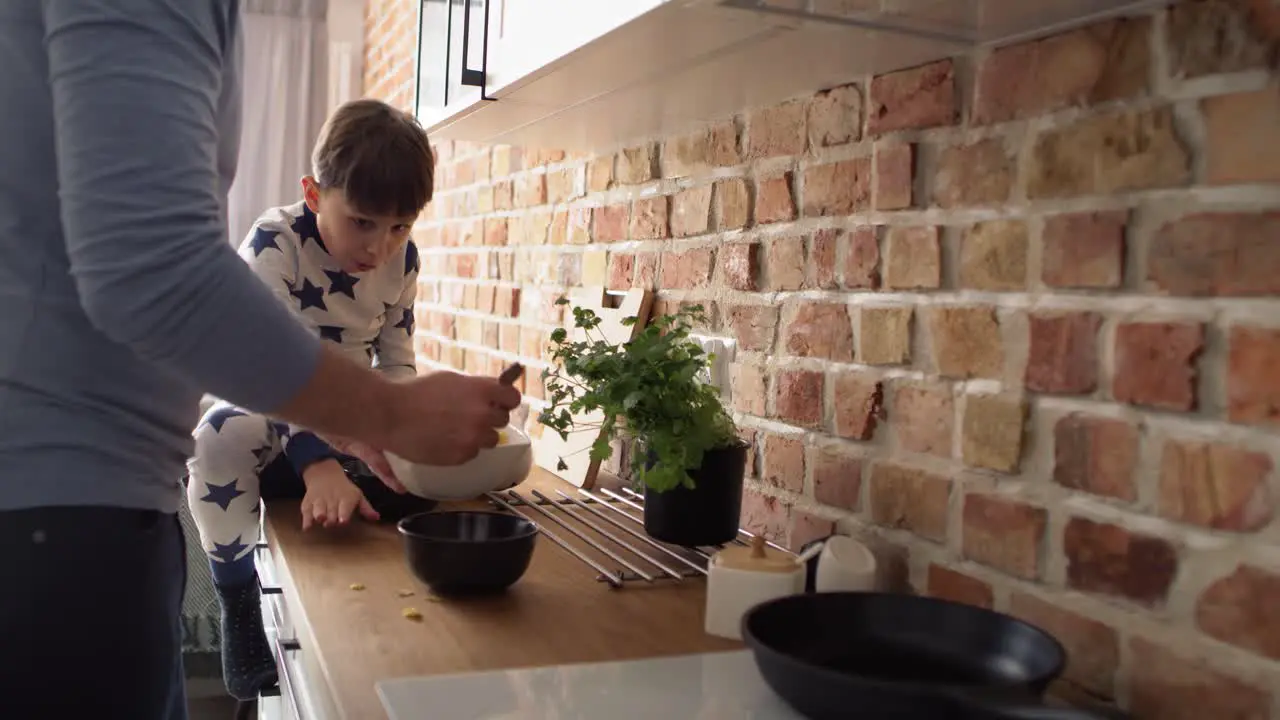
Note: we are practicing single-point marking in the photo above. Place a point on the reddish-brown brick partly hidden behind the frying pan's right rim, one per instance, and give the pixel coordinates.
(1092, 648)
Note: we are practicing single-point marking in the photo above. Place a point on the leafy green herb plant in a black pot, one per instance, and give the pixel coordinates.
(650, 391)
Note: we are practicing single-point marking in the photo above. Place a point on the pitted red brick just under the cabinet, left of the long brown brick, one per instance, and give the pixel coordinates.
(918, 98)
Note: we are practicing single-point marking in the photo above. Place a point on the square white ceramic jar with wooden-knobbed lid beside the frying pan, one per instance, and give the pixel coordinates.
(740, 578)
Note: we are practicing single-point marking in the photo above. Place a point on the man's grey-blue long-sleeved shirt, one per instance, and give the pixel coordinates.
(121, 299)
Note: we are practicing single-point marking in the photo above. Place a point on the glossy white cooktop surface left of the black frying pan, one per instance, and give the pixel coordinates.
(721, 686)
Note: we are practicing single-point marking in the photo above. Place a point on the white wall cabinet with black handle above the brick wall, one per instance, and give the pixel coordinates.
(596, 75)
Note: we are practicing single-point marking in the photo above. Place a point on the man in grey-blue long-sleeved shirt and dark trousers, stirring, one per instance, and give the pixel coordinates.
(121, 304)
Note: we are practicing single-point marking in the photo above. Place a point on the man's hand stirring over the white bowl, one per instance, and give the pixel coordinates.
(446, 418)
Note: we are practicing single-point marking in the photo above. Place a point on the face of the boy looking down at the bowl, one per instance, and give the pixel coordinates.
(356, 240)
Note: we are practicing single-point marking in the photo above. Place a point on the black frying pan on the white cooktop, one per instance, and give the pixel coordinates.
(903, 658)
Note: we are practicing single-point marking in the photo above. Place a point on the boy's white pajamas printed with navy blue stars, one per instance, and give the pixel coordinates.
(368, 316)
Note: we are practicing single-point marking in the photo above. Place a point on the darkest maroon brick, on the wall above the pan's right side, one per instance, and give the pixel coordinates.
(1108, 559)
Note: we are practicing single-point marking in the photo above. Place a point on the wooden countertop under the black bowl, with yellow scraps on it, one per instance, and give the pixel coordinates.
(559, 613)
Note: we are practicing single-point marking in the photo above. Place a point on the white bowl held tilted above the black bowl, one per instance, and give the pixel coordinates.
(495, 470)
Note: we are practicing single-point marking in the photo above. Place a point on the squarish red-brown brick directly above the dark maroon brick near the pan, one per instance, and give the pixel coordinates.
(1096, 455)
